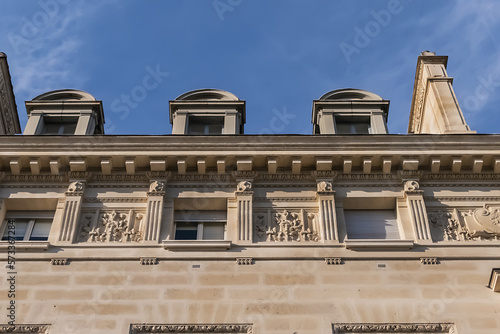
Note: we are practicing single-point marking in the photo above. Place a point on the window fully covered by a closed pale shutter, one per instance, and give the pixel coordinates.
(371, 224)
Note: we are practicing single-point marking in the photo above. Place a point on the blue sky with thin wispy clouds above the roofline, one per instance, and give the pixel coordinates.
(277, 55)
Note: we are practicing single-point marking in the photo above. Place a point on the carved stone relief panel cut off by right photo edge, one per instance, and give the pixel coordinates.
(478, 224)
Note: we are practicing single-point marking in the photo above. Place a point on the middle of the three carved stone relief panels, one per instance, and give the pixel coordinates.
(285, 225)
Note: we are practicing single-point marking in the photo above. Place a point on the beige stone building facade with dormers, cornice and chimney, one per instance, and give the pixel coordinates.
(208, 230)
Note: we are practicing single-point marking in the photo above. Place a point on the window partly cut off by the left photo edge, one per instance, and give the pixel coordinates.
(28, 229)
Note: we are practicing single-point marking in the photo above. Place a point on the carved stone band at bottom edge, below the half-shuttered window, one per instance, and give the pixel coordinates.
(181, 329)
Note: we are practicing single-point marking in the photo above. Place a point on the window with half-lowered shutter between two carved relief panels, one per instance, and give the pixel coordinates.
(200, 225)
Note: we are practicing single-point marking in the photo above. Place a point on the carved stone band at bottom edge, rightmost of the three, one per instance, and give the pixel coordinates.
(393, 328)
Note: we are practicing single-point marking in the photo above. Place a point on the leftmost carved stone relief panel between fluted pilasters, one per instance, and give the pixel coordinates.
(111, 226)
